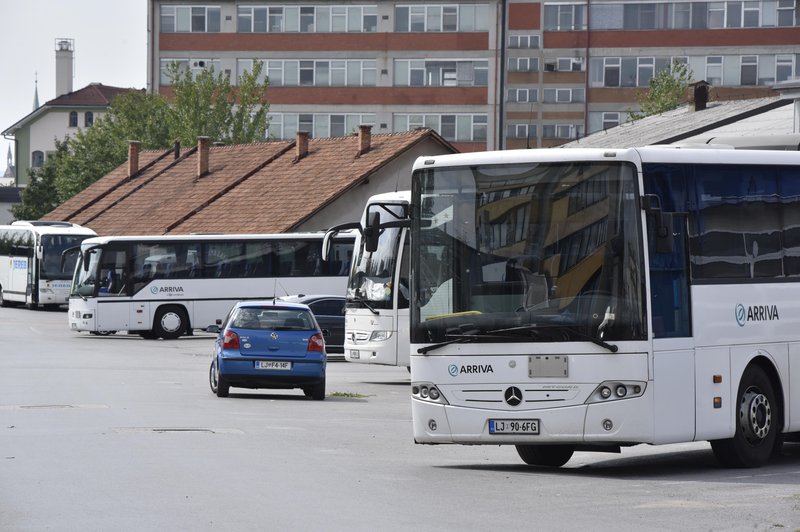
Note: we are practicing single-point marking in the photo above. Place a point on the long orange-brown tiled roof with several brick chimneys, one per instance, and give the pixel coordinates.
(249, 188)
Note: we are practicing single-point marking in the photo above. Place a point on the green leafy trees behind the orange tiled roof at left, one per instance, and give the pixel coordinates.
(205, 105)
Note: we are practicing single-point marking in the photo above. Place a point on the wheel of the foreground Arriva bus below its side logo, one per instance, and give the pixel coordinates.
(757, 423)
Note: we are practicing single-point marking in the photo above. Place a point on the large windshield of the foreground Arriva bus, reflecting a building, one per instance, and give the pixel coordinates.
(532, 252)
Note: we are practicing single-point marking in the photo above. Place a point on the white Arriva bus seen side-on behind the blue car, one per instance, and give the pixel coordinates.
(167, 286)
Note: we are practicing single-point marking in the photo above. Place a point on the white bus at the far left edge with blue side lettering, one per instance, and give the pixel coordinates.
(32, 271)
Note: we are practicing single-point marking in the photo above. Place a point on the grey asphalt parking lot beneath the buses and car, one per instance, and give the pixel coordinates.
(121, 433)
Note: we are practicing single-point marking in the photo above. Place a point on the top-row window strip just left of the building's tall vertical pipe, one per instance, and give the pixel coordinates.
(435, 18)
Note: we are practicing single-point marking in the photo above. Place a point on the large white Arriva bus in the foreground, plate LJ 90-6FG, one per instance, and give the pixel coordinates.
(577, 299)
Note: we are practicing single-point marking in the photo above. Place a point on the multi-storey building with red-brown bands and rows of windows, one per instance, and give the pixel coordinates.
(483, 73)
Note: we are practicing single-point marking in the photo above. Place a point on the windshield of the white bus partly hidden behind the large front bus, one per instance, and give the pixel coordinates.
(371, 278)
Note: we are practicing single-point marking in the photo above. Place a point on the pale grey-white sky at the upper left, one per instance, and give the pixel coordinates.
(110, 39)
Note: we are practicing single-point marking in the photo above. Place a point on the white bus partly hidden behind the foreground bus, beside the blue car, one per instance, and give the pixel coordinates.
(376, 312)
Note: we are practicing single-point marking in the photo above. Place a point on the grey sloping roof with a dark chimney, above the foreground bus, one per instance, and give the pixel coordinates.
(678, 125)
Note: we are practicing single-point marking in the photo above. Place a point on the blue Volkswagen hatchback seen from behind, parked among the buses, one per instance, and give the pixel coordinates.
(269, 344)
